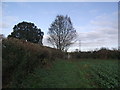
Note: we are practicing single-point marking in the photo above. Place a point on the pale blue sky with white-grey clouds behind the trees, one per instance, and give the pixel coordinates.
(95, 22)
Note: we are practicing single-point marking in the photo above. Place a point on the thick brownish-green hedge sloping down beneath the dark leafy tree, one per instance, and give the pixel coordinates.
(19, 58)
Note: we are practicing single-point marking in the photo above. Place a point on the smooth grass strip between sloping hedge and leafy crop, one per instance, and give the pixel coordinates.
(64, 74)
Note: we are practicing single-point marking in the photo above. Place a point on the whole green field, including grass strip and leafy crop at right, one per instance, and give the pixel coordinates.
(75, 74)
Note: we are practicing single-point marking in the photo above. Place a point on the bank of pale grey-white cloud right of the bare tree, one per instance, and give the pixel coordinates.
(104, 33)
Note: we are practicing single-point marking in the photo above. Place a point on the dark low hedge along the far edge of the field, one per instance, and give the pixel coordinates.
(103, 53)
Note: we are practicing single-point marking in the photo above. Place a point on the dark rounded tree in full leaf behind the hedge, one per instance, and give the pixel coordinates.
(27, 31)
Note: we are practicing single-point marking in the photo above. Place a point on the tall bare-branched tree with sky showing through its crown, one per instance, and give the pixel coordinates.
(61, 33)
